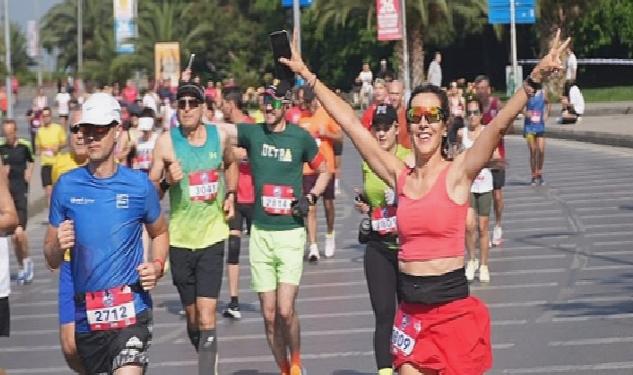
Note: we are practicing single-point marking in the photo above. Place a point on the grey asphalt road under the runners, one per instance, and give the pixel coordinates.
(561, 295)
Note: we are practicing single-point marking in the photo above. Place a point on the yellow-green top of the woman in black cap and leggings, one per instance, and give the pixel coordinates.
(381, 199)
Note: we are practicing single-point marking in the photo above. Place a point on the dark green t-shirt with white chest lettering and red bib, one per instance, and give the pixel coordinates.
(277, 166)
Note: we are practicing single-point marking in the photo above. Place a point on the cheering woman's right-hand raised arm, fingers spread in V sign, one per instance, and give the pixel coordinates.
(477, 156)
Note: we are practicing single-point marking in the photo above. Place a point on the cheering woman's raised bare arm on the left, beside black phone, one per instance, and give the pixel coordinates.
(384, 164)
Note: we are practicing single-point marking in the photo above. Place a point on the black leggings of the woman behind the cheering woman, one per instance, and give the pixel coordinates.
(381, 272)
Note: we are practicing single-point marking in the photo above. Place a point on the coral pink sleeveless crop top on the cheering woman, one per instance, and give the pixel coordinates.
(431, 227)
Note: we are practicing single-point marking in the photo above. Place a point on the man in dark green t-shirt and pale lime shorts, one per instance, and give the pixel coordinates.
(277, 151)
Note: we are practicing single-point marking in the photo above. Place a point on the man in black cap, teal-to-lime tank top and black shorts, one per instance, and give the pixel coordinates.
(196, 164)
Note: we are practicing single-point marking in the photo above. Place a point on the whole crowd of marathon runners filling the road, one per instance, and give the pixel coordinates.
(230, 172)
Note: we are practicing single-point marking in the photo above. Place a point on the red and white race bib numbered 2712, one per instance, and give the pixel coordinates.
(110, 309)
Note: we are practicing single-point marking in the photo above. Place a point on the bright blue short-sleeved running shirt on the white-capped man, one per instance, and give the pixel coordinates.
(108, 214)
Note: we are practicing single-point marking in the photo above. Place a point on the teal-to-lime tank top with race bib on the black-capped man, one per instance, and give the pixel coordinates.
(196, 202)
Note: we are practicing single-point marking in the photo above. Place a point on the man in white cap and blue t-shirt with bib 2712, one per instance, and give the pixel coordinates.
(98, 212)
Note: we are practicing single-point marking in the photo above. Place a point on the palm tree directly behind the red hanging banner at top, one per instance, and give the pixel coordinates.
(427, 21)
